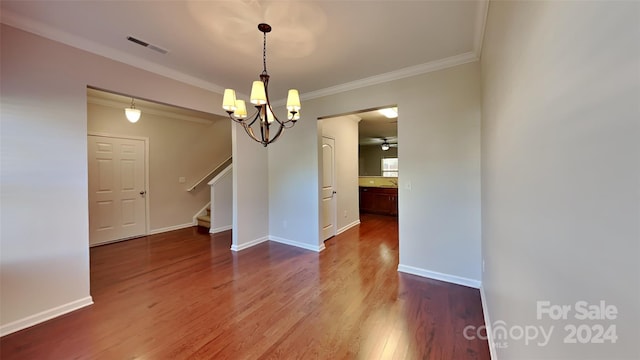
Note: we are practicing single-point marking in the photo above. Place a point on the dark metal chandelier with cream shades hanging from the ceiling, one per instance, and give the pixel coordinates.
(264, 118)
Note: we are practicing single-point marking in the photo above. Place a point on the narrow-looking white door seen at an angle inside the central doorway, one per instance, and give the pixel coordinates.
(328, 188)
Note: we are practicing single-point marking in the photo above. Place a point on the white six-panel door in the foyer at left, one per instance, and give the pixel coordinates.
(117, 191)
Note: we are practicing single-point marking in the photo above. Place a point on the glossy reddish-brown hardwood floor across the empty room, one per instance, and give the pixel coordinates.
(185, 295)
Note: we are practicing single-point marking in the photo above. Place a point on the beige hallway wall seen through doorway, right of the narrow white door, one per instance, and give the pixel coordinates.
(344, 130)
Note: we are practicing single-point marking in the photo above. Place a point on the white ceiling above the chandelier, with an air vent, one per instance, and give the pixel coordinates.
(318, 47)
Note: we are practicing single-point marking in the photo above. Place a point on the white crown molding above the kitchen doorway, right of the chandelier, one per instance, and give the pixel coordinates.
(394, 75)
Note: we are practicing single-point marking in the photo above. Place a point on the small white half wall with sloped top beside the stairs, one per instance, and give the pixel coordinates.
(222, 201)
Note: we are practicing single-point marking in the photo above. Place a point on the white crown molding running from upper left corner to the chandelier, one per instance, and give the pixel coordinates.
(12, 19)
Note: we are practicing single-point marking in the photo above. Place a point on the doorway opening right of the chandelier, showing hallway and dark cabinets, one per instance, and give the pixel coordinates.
(366, 168)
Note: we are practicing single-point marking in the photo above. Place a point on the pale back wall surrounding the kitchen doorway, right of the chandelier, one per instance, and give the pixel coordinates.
(439, 129)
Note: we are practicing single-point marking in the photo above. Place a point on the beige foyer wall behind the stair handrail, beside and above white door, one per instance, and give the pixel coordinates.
(177, 148)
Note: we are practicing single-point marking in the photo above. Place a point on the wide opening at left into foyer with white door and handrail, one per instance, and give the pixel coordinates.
(182, 150)
